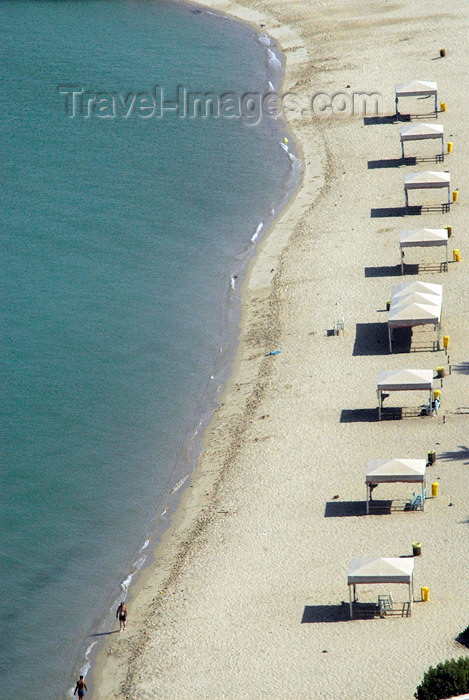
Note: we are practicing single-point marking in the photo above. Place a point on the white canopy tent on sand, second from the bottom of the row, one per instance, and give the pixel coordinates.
(389, 471)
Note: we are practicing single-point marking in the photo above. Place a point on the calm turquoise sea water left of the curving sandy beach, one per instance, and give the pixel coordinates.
(118, 317)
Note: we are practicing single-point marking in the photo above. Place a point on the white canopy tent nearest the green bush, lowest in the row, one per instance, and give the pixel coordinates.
(382, 570)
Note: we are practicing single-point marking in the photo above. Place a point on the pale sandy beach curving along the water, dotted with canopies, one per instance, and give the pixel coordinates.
(245, 596)
